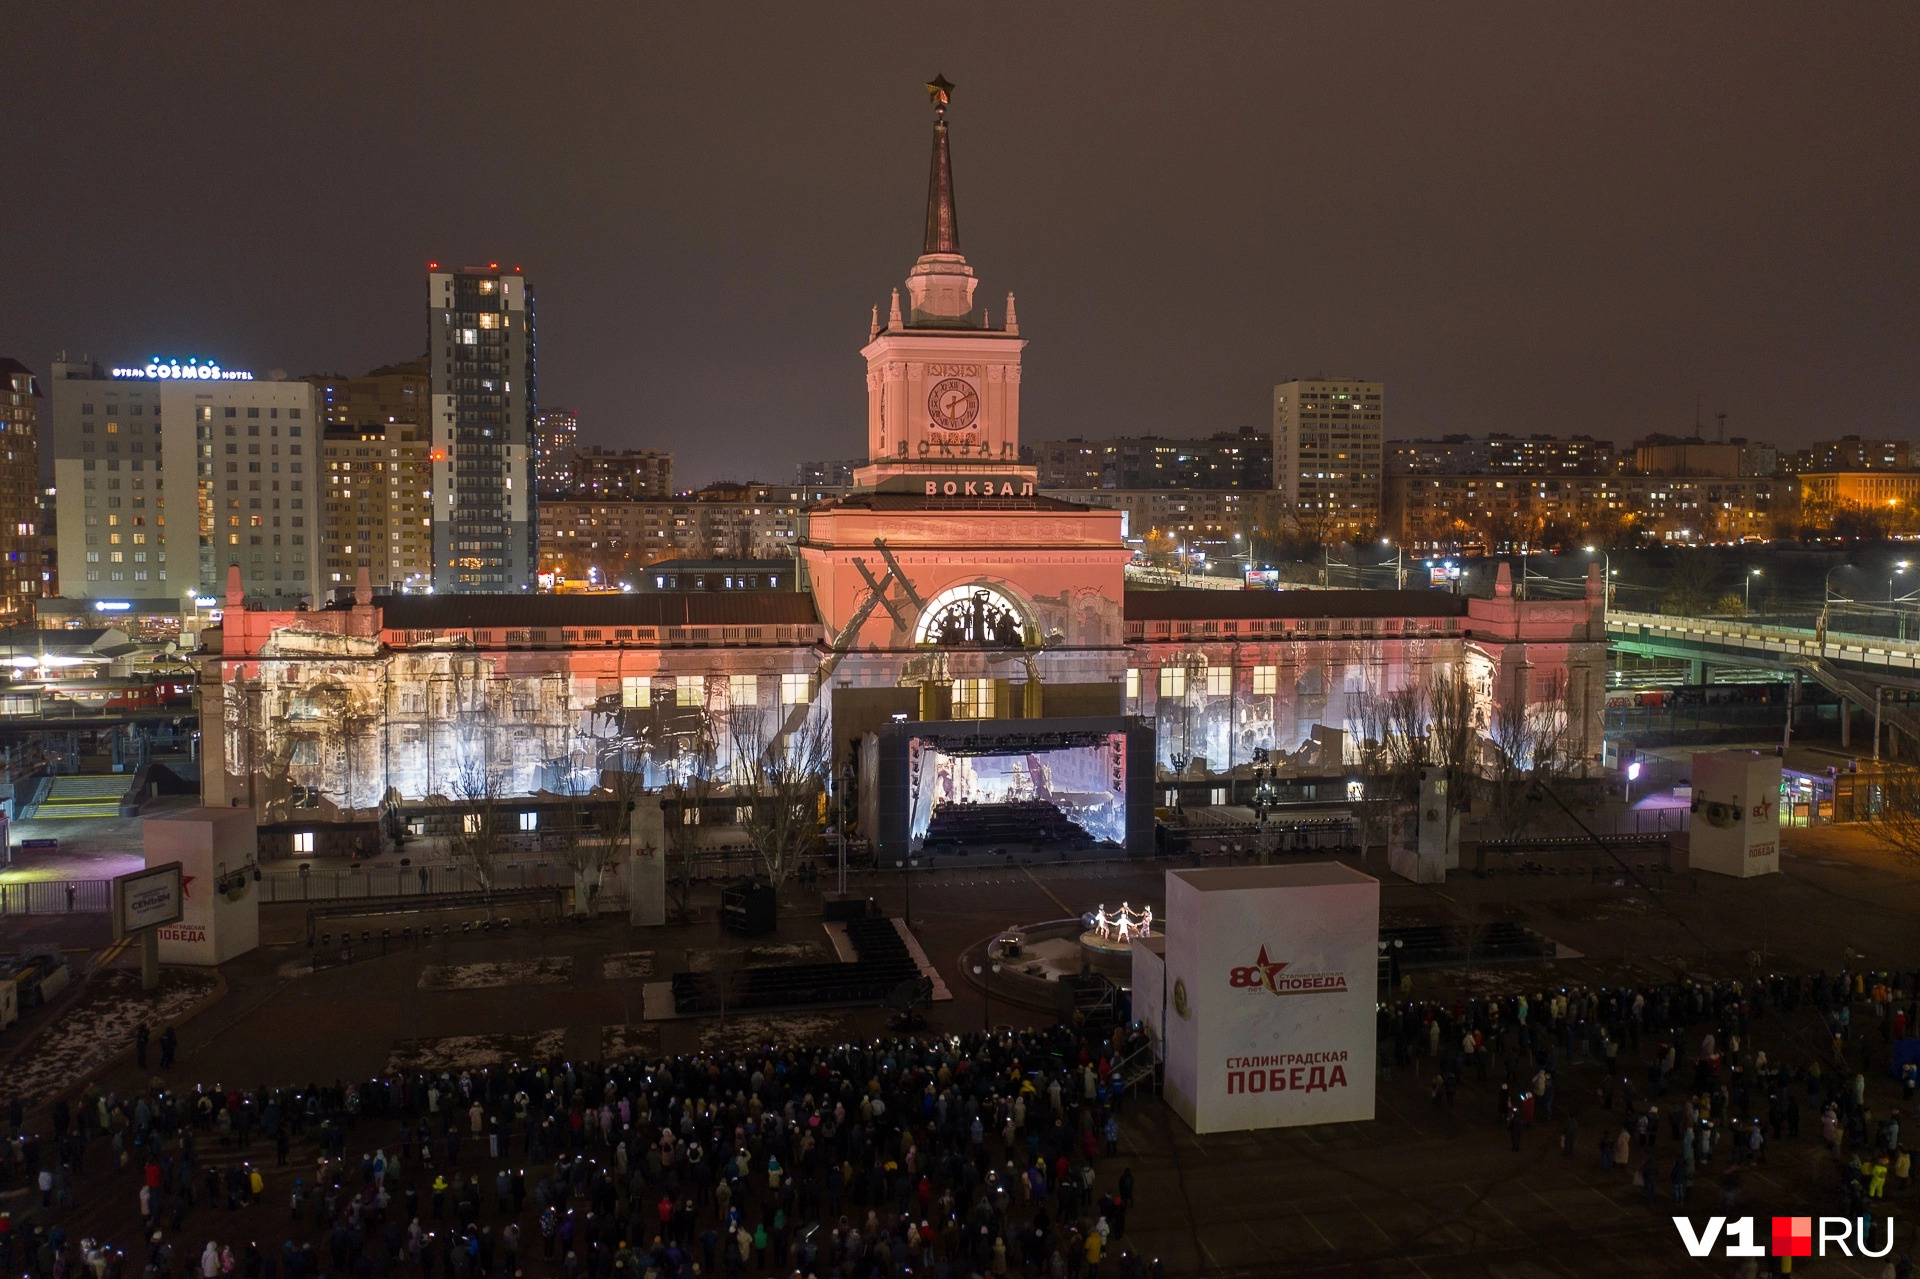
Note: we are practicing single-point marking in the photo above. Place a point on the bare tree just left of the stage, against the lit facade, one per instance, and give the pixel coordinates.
(780, 779)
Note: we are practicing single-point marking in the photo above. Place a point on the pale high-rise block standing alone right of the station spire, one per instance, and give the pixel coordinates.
(1328, 452)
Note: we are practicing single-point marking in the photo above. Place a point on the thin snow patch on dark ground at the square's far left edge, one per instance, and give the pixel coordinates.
(99, 1026)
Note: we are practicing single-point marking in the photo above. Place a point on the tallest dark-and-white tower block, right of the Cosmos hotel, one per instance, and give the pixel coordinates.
(485, 406)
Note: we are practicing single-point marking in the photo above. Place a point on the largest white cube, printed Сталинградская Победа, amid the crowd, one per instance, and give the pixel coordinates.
(1272, 977)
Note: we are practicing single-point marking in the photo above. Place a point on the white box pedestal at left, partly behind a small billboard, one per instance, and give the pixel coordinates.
(216, 850)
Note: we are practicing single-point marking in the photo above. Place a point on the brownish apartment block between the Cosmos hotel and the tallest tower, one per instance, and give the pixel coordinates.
(377, 510)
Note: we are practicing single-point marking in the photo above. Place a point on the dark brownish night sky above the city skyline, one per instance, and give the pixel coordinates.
(1520, 218)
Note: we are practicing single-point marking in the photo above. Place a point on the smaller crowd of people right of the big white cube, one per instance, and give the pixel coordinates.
(1723, 1067)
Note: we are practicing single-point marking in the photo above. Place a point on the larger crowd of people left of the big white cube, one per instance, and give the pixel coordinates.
(938, 1157)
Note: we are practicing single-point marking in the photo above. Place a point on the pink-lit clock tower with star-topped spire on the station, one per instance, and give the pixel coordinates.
(942, 375)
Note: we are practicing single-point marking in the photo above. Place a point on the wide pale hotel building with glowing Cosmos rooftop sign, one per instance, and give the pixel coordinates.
(239, 456)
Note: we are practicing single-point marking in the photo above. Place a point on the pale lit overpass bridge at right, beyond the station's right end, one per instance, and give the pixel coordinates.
(1865, 671)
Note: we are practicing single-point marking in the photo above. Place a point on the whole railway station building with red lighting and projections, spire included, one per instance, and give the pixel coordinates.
(944, 587)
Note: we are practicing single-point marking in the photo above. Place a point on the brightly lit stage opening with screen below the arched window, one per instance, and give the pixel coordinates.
(1086, 784)
